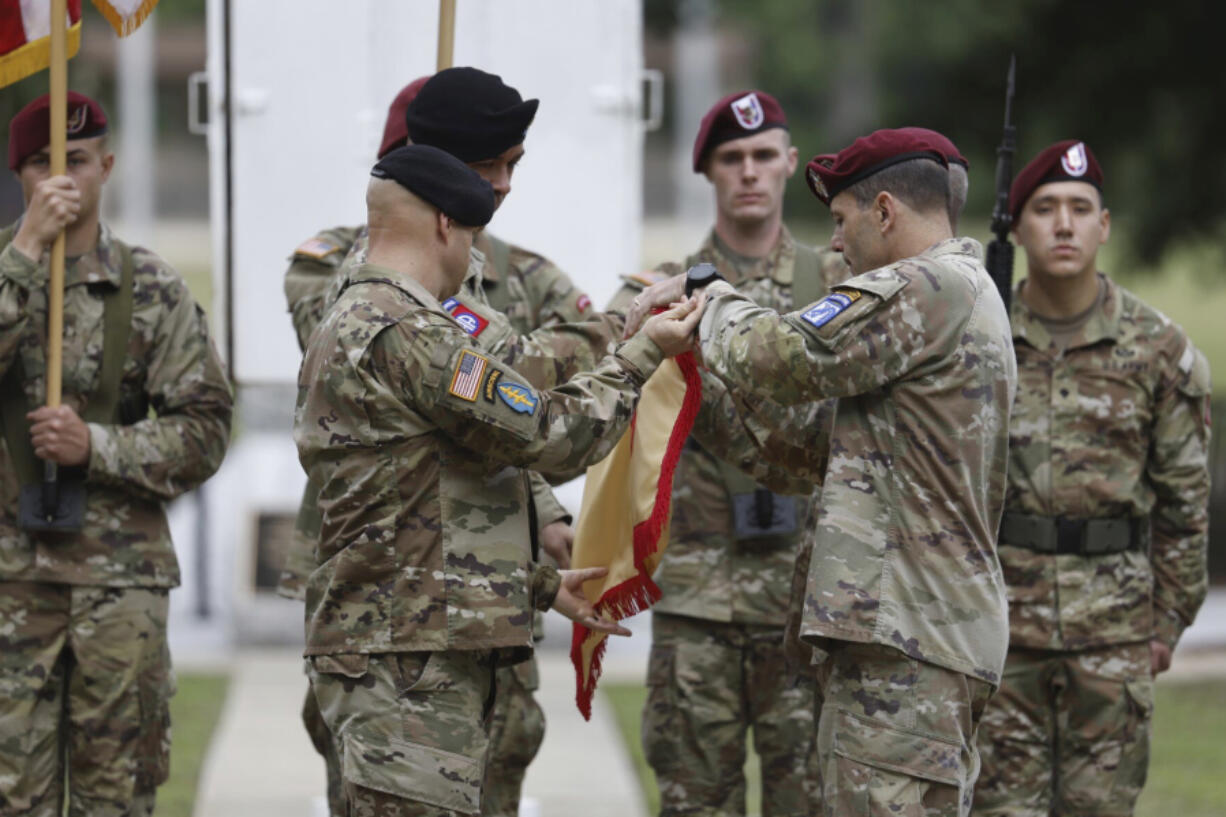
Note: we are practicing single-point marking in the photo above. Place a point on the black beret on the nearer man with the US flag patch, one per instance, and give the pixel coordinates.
(442, 180)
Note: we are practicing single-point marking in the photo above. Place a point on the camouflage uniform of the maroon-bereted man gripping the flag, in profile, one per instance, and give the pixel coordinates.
(905, 569)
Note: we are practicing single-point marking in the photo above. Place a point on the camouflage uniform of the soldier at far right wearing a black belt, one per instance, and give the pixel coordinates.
(1114, 429)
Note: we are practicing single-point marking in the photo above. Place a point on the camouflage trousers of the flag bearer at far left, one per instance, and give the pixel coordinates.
(85, 691)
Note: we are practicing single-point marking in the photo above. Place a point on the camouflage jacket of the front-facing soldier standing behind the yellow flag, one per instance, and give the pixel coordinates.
(720, 566)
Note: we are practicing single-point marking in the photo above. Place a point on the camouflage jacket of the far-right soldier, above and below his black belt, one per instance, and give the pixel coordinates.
(1115, 426)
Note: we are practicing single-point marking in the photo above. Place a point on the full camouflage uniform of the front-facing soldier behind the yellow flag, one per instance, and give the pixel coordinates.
(718, 664)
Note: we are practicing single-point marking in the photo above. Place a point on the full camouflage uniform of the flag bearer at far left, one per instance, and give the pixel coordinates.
(83, 615)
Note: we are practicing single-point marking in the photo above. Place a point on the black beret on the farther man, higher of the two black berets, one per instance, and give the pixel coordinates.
(471, 115)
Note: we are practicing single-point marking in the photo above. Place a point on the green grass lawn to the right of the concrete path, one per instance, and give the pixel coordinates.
(1186, 770)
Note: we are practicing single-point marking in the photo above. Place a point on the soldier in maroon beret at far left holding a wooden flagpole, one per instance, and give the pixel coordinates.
(145, 418)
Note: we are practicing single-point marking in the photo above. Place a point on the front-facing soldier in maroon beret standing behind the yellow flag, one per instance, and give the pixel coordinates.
(708, 625)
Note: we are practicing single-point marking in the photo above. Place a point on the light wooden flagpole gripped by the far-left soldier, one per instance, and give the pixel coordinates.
(59, 107)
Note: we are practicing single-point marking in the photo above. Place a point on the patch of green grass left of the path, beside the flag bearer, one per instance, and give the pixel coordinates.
(196, 711)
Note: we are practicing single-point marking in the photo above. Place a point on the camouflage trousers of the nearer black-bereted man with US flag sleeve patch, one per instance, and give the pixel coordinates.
(411, 729)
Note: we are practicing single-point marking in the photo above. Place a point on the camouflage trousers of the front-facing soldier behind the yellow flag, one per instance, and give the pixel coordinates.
(708, 684)
